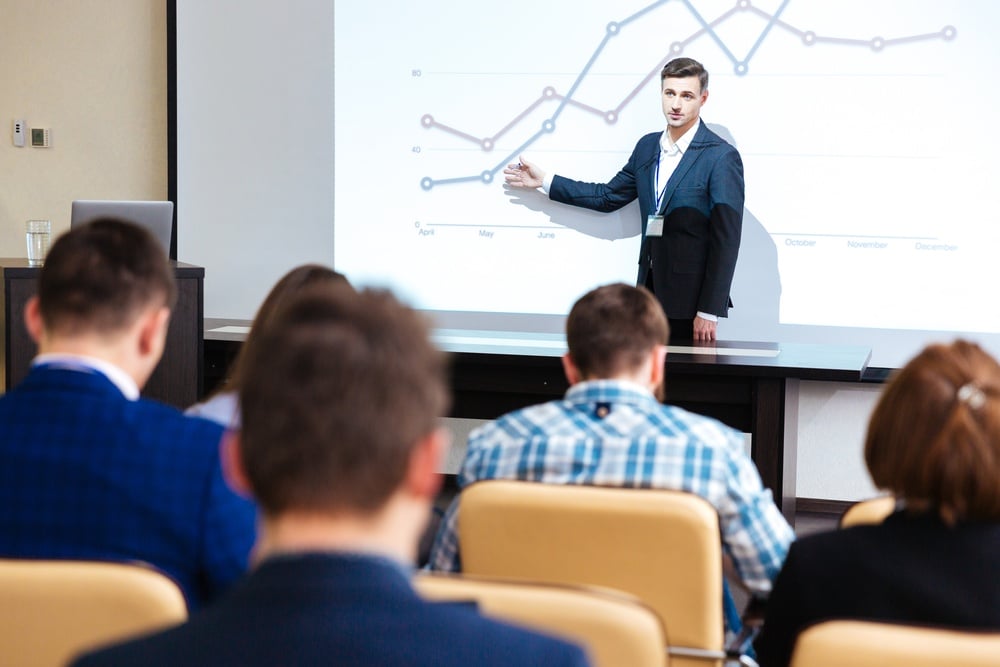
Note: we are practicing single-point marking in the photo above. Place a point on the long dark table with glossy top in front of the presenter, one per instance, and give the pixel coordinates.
(752, 387)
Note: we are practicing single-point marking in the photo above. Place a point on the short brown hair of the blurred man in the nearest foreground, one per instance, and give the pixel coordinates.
(340, 388)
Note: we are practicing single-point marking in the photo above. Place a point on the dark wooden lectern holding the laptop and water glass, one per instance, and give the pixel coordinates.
(177, 379)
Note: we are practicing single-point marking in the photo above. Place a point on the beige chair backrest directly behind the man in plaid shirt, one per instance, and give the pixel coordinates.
(661, 546)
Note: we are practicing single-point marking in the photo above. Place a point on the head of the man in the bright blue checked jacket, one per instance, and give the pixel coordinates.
(106, 290)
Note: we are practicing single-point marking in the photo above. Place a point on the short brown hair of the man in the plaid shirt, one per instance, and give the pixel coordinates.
(614, 328)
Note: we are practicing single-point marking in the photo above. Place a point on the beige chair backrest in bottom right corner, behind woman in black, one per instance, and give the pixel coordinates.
(868, 644)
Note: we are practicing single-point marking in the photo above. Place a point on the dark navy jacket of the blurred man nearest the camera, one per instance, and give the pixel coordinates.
(336, 609)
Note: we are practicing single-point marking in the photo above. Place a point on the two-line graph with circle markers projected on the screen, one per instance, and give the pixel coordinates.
(709, 28)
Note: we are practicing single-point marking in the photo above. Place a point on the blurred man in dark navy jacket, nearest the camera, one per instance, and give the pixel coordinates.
(340, 445)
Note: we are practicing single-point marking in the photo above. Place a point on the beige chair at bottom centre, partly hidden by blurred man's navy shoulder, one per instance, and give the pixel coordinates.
(614, 628)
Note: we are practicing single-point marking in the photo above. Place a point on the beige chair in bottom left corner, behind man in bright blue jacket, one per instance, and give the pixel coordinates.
(52, 610)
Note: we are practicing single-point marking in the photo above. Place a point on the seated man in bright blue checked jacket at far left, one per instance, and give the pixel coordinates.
(88, 470)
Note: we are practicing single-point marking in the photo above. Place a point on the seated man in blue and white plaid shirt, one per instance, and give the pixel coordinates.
(610, 430)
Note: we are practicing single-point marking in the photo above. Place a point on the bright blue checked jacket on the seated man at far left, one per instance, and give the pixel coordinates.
(87, 474)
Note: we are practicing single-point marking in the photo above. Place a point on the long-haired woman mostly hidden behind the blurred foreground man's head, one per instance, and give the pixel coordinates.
(223, 407)
